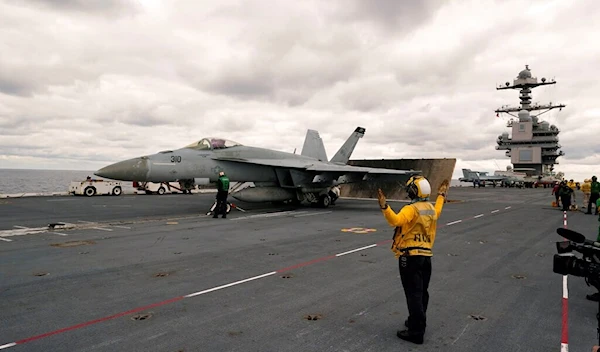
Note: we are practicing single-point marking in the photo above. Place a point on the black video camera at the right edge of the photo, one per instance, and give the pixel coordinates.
(566, 263)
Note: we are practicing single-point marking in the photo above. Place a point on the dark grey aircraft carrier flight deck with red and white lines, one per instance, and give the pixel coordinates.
(154, 273)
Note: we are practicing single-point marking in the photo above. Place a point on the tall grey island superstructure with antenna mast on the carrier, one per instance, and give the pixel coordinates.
(533, 145)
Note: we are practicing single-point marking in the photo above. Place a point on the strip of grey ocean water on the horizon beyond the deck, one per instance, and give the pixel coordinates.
(48, 181)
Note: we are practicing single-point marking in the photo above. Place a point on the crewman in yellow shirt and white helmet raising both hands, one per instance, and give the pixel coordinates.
(413, 242)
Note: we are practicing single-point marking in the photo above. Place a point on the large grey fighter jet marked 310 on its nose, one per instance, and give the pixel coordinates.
(276, 176)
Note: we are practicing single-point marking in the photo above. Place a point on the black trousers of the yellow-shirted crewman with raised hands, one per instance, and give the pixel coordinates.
(415, 272)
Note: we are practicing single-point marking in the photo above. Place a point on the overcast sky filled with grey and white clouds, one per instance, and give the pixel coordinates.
(85, 83)
